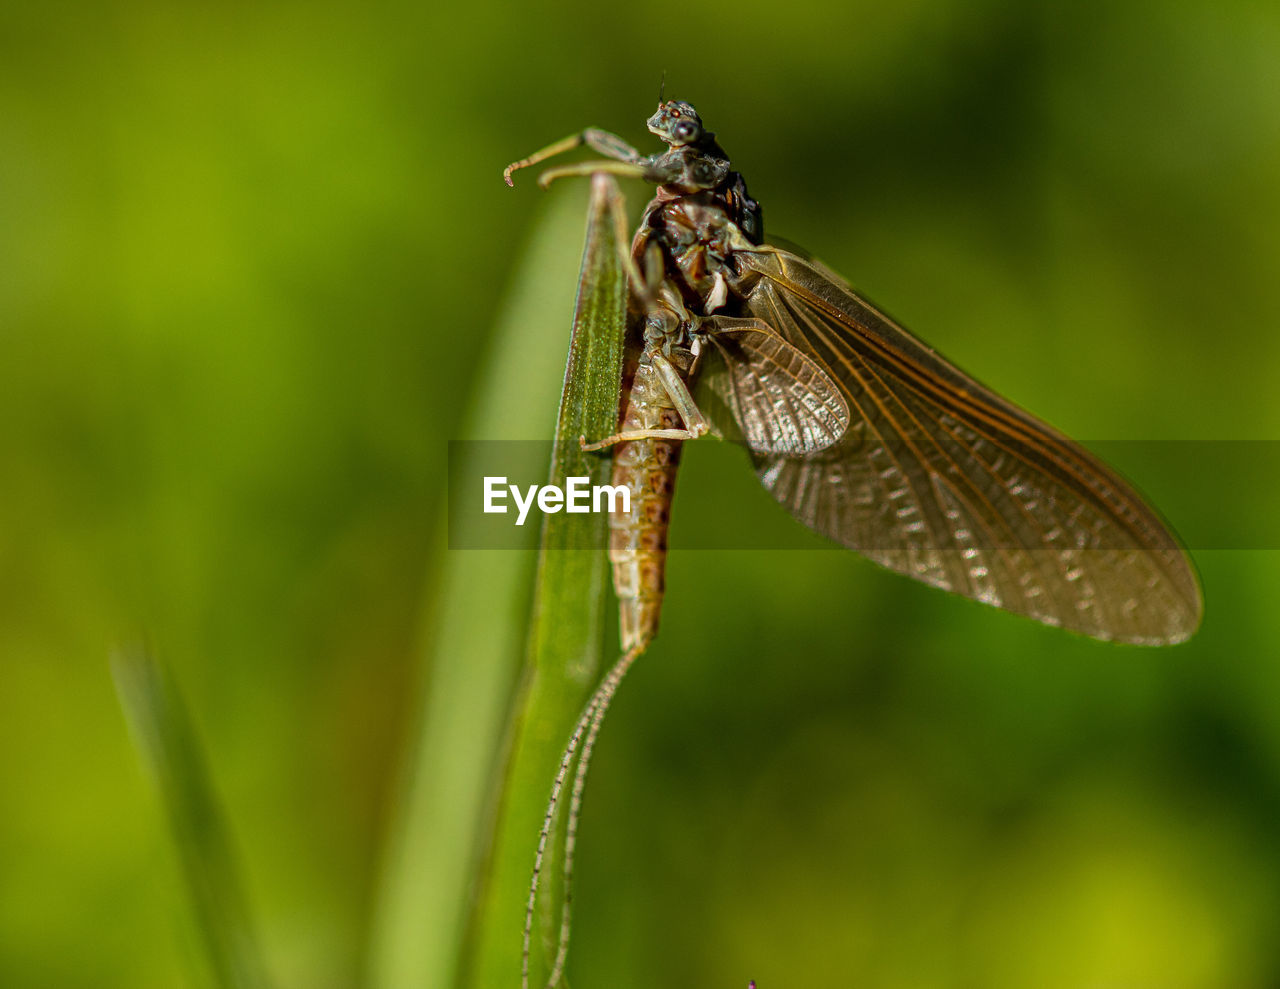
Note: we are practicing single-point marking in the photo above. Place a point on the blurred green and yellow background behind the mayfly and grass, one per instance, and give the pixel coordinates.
(250, 263)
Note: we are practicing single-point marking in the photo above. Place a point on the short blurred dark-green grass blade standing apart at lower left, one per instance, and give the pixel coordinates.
(164, 735)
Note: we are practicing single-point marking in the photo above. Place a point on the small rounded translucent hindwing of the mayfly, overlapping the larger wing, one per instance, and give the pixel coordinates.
(780, 399)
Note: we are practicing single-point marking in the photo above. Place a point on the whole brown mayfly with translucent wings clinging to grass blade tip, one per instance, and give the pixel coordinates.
(862, 432)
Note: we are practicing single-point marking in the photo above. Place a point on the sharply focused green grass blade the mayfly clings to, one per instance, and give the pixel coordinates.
(568, 625)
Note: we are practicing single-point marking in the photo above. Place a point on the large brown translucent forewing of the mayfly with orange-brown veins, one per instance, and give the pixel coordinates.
(943, 480)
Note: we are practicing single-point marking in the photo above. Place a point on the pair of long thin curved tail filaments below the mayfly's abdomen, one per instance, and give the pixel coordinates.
(589, 724)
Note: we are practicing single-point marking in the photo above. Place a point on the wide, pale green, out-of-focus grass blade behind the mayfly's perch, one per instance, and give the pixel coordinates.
(477, 639)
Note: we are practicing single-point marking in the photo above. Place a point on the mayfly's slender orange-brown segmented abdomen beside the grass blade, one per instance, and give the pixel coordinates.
(638, 539)
